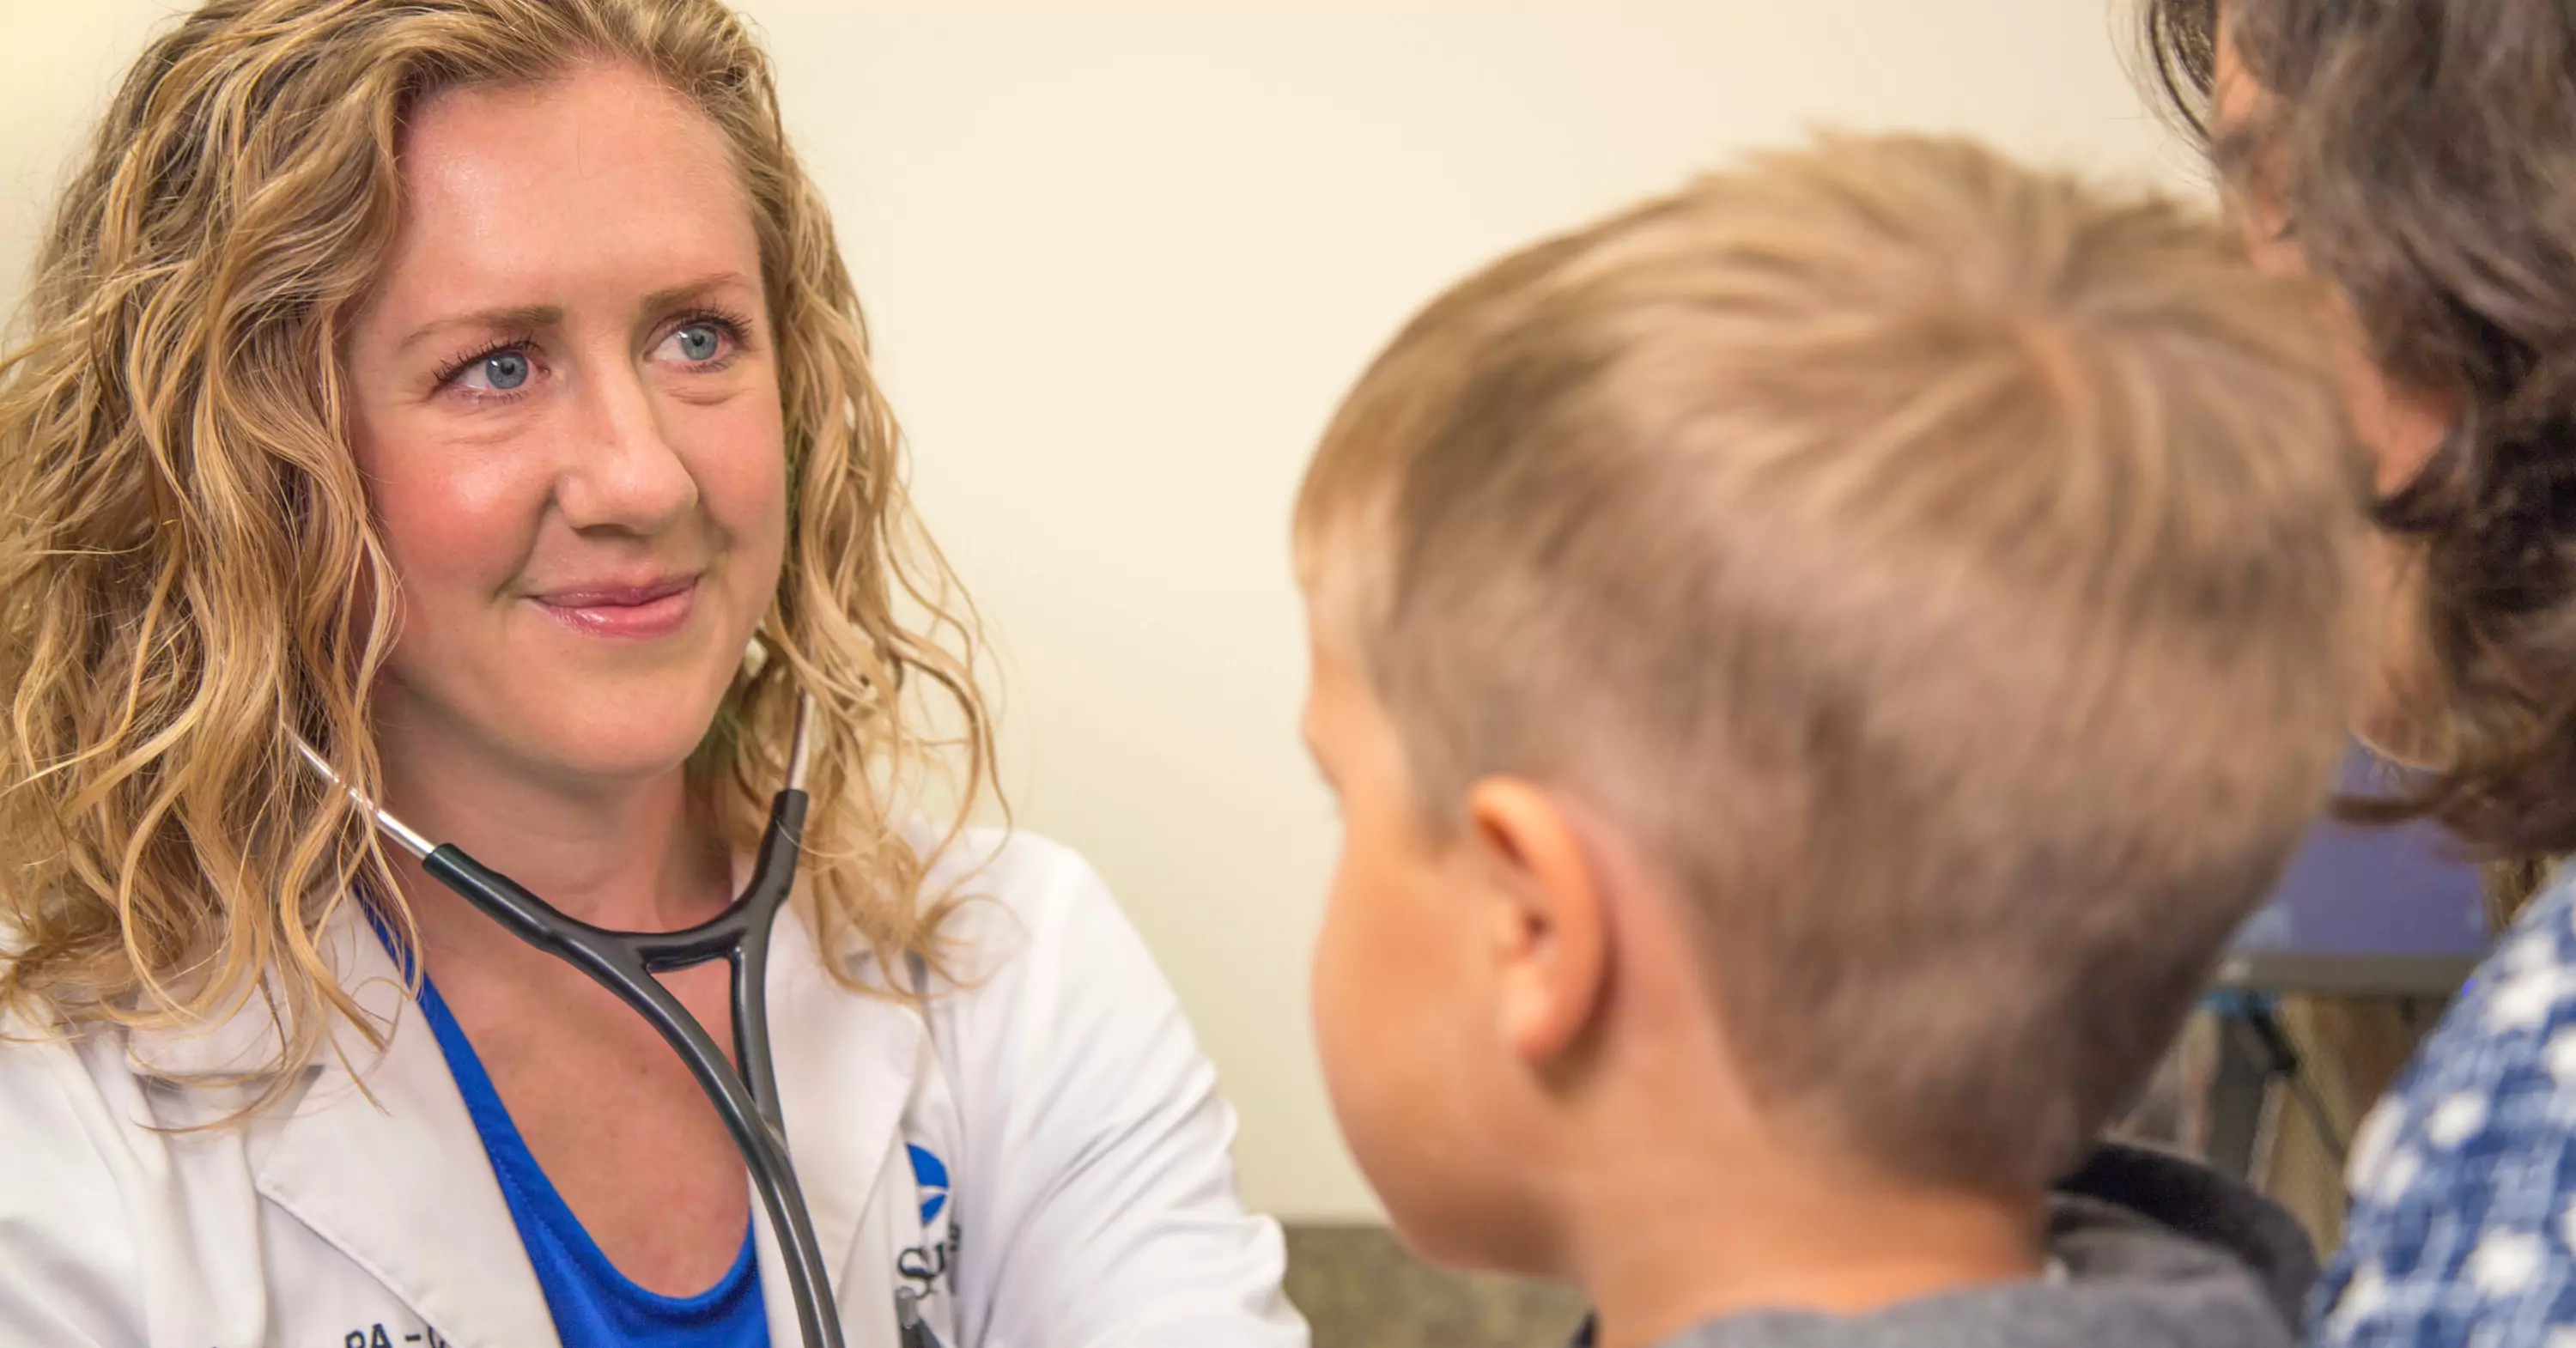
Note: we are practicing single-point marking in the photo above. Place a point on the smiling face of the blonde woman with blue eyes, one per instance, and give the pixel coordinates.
(565, 406)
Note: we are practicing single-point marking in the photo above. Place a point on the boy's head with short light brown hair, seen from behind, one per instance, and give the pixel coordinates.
(1926, 579)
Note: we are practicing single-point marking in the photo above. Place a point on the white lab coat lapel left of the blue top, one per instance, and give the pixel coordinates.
(383, 1161)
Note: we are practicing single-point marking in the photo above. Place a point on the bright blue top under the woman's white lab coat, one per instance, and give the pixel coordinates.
(594, 1305)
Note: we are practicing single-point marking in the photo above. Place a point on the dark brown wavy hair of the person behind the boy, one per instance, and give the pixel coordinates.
(2425, 159)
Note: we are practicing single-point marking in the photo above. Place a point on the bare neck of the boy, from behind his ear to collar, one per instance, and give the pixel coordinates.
(1691, 1200)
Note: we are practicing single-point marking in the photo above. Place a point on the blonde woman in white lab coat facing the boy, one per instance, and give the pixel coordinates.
(473, 390)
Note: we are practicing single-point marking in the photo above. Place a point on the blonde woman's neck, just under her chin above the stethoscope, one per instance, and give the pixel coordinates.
(630, 854)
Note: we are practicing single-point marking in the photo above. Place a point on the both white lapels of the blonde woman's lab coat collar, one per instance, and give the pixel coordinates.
(380, 1156)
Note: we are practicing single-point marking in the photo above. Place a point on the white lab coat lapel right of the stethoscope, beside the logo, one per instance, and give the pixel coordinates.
(846, 1066)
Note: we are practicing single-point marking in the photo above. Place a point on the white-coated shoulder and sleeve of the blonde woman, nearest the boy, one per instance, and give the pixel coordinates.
(1094, 1171)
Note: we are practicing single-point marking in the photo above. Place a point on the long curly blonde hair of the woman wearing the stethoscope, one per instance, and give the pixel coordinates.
(189, 543)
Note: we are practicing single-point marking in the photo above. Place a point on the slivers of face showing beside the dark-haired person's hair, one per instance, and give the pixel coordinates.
(2402, 427)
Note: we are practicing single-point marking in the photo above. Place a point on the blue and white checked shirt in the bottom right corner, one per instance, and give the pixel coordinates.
(2464, 1182)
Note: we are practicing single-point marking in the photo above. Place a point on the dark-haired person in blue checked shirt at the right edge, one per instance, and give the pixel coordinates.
(2420, 156)
